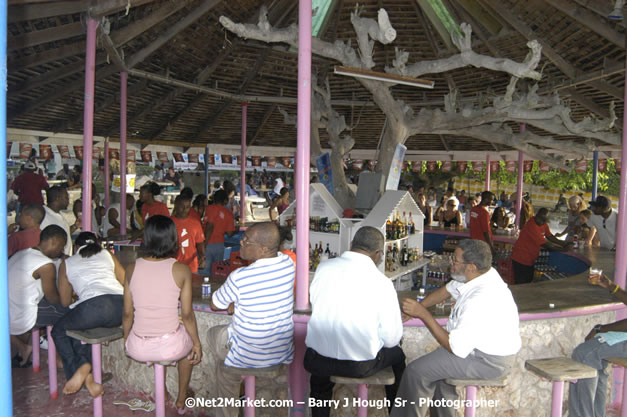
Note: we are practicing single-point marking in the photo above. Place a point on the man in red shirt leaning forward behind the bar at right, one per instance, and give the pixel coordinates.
(533, 236)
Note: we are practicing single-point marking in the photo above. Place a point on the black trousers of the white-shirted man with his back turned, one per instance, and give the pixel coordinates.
(322, 368)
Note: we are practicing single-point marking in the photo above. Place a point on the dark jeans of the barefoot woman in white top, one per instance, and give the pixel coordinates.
(101, 311)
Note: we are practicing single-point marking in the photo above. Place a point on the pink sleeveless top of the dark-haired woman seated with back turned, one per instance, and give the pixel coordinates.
(155, 298)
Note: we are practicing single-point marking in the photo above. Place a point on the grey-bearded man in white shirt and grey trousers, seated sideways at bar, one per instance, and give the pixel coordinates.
(480, 339)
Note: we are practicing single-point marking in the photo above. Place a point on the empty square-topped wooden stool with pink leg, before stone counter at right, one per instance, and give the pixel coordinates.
(559, 370)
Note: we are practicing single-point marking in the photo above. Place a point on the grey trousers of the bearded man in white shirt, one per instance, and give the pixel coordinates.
(424, 379)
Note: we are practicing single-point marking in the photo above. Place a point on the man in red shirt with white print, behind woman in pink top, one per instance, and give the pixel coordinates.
(191, 237)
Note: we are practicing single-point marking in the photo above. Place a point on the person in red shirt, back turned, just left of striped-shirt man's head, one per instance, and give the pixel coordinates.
(218, 221)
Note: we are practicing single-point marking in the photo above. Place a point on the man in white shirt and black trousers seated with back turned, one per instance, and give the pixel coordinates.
(355, 326)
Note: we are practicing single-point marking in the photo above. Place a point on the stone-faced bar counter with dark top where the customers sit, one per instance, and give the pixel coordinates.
(545, 331)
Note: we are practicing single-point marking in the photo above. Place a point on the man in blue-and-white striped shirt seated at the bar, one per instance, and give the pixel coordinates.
(261, 299)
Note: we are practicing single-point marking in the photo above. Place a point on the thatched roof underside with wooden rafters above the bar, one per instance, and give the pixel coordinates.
(583, 59)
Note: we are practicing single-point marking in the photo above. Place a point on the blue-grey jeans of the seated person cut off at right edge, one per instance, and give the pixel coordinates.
(588, 397)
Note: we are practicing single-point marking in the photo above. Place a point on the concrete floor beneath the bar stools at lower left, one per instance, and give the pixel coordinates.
(31, 397)
